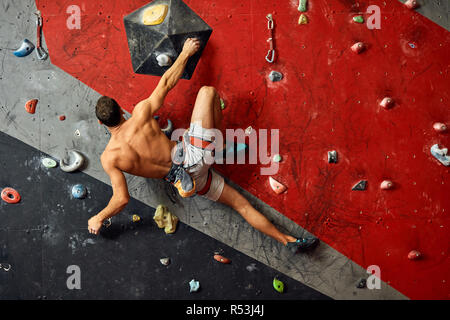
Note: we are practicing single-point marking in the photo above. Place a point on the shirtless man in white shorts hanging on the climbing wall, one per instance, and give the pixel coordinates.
(139, 147)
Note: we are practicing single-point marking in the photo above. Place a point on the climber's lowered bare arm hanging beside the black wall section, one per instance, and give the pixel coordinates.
(118, 201)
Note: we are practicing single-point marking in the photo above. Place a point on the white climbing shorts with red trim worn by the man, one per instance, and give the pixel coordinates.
(199, 155)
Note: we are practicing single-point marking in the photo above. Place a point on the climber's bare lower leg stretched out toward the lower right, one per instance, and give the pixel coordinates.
(235, 200)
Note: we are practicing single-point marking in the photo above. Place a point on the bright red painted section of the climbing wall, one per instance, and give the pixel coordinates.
(331, 98)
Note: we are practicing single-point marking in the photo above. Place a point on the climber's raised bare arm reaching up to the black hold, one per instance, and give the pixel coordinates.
(149, 106)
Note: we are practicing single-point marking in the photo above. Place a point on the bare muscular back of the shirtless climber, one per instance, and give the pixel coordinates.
(140, 148)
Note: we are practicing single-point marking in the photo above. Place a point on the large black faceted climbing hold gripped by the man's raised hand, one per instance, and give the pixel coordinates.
(147, 42)
